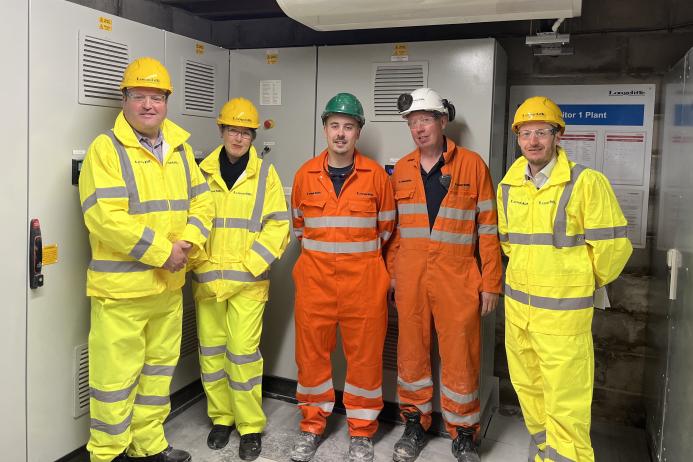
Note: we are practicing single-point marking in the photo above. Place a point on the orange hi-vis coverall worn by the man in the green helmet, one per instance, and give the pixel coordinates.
(341, 279)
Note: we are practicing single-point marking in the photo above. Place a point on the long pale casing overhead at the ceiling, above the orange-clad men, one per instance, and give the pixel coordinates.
(369, 14)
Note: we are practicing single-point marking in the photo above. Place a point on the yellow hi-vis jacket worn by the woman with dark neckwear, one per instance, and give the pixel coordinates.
(250, 231)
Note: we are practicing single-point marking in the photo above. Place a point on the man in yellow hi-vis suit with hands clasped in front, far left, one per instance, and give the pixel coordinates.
(146, 205)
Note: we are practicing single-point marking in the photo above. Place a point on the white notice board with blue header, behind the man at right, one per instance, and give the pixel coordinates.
(609, 129)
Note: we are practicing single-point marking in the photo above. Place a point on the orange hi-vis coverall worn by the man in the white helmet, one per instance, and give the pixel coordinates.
(437, 275)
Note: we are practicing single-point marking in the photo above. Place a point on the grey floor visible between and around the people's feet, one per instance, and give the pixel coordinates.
(505, 438)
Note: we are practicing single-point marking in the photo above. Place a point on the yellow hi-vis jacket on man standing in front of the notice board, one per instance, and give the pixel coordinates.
(563, 241)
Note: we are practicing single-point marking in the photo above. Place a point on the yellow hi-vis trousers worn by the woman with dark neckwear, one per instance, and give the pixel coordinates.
(231, 363)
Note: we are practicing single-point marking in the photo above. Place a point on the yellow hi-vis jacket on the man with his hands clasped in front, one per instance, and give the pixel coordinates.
(135, 208)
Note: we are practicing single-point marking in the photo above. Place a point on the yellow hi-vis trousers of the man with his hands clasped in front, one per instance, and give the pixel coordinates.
(134, 346)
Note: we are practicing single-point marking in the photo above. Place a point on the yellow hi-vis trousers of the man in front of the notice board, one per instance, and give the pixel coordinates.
(553, 376)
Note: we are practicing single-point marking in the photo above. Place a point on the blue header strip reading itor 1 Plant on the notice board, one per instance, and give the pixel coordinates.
(604, 114)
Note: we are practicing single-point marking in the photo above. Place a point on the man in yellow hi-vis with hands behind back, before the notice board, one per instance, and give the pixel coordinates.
(565, 236)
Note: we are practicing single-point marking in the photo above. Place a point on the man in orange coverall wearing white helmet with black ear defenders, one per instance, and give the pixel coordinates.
(446, 211)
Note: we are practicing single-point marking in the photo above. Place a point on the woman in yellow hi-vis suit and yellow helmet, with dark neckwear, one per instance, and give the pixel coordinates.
(250, 230)
